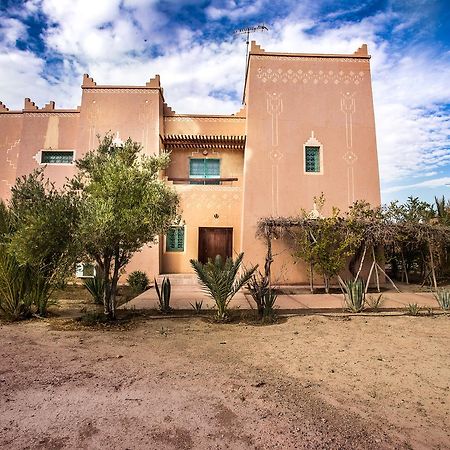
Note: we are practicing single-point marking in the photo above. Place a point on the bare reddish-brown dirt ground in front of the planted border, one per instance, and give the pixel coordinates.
(316, 382)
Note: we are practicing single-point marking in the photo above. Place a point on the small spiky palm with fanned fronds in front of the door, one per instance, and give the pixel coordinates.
(221, 280)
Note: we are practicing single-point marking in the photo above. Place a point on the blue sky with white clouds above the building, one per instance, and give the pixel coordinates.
(47, 45)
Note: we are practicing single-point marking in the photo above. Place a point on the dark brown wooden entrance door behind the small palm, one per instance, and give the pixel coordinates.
(214, 241)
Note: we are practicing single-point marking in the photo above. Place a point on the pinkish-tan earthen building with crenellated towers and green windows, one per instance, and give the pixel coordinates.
(307, 126)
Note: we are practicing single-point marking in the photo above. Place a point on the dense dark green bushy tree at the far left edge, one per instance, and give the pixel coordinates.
(39, 249)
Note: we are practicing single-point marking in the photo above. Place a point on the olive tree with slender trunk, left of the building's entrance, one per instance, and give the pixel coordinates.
(124, 206)
